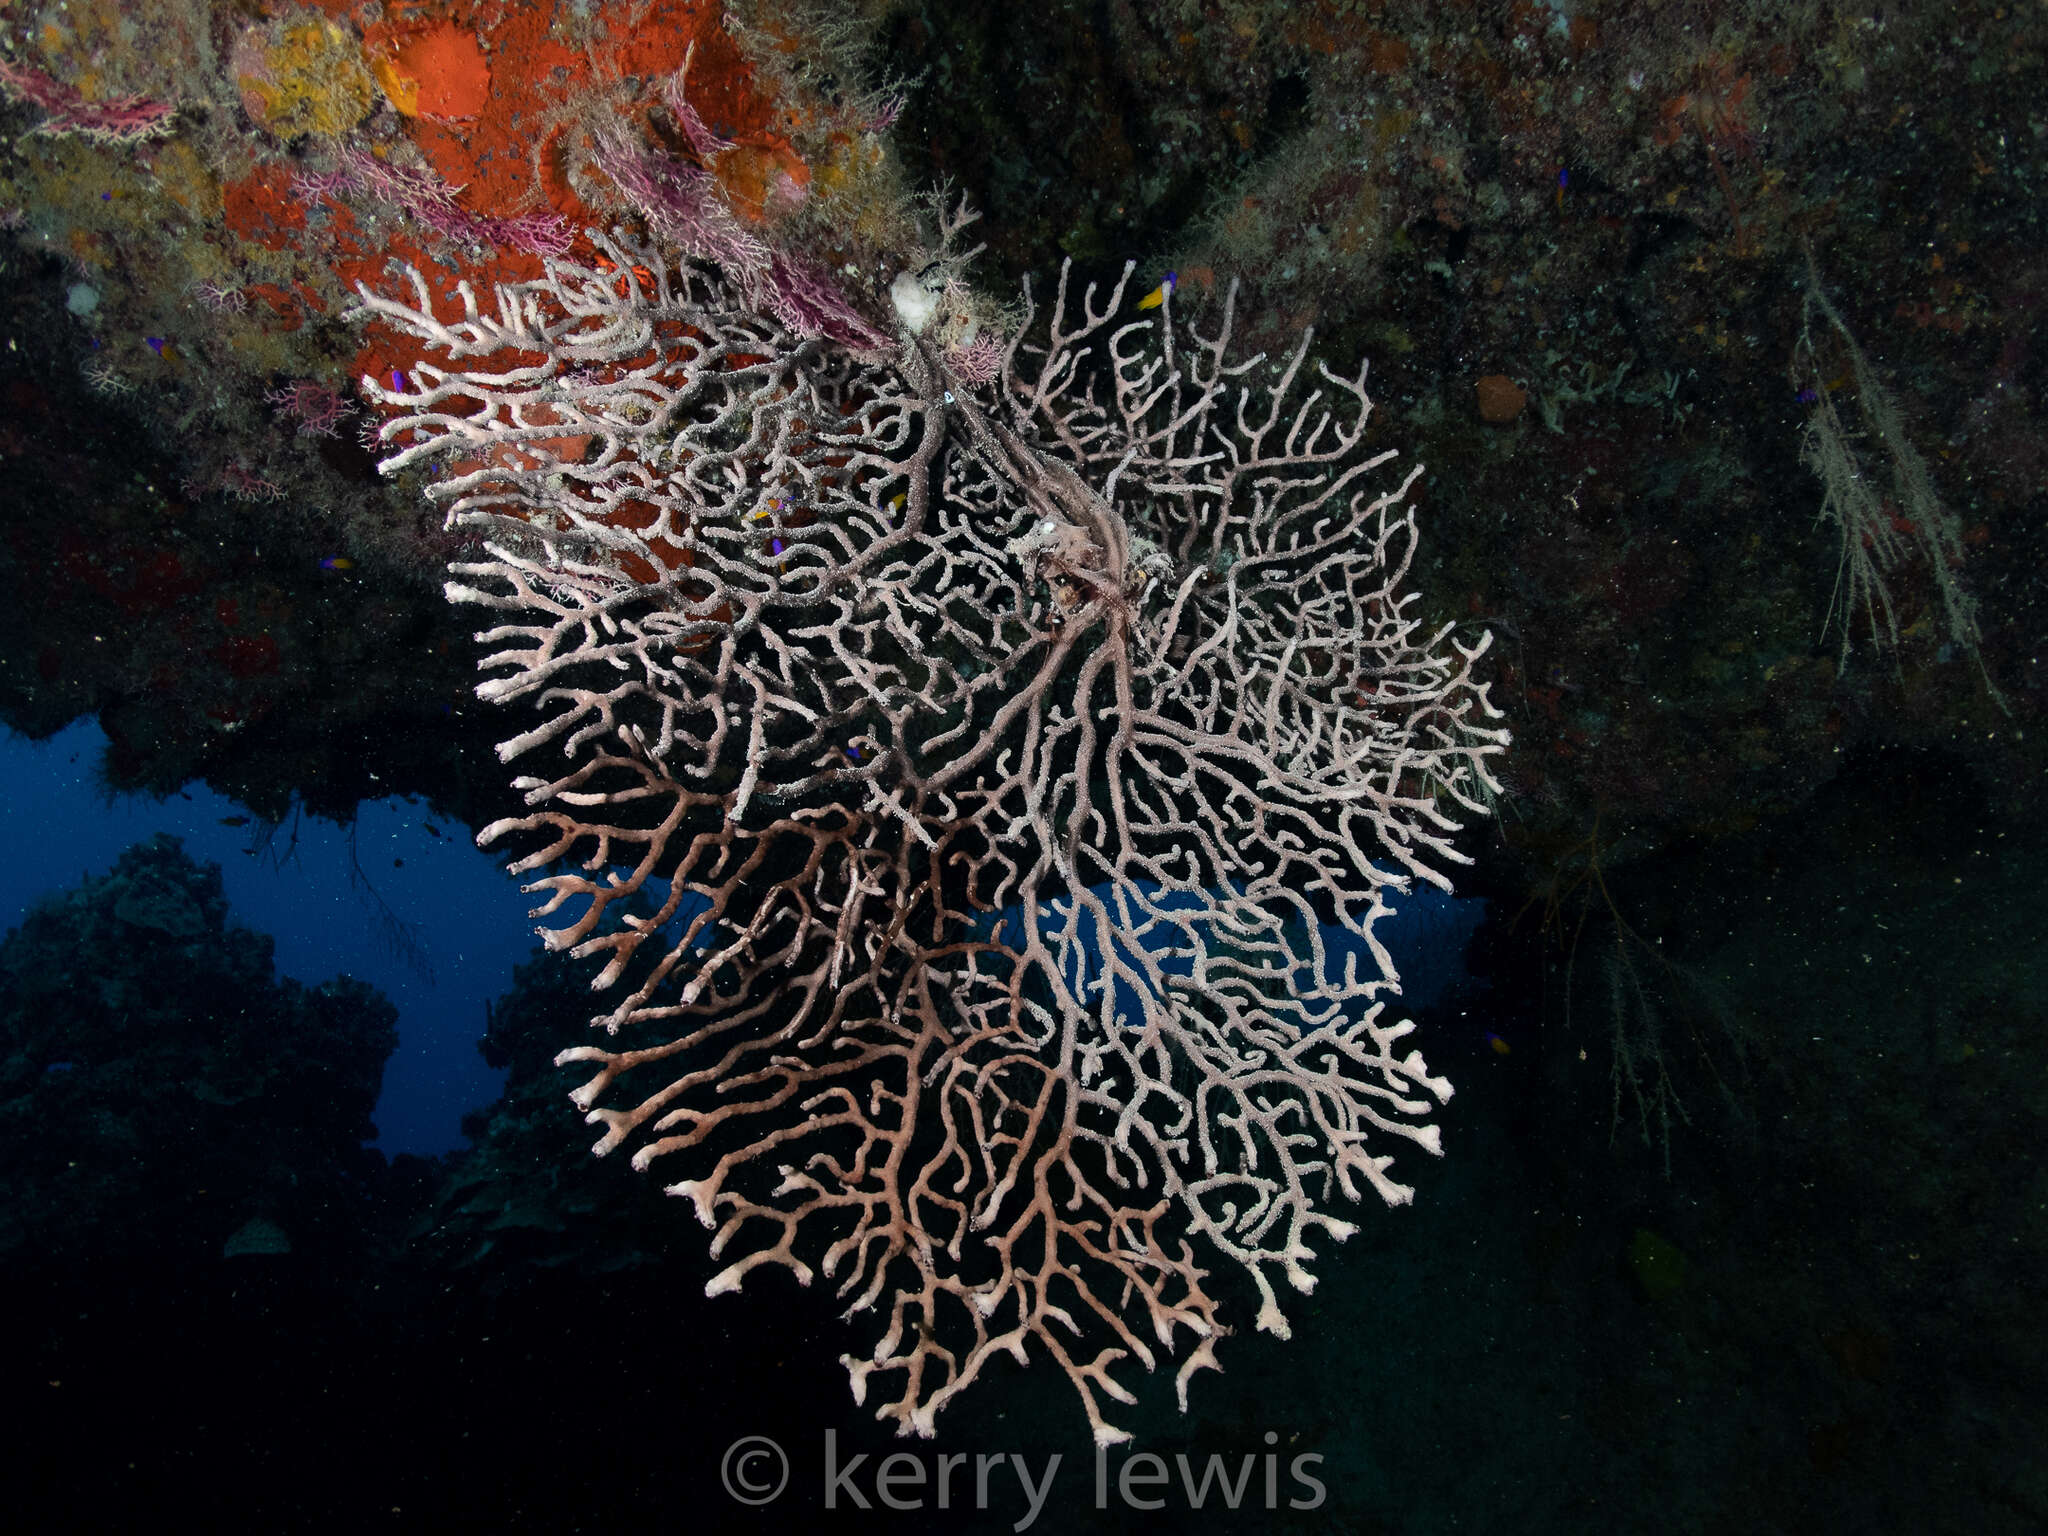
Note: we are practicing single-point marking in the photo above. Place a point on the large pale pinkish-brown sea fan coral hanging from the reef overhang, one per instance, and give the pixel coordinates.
(984, 792)
